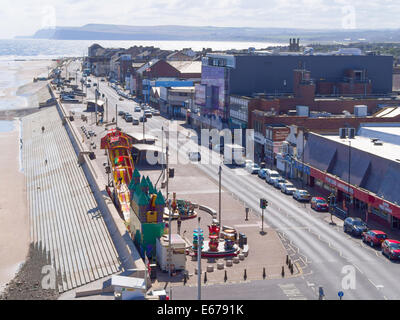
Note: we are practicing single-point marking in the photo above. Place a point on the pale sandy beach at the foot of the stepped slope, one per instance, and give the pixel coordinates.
(19, 96)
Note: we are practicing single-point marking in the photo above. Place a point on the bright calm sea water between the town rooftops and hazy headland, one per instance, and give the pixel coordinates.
(42, 49)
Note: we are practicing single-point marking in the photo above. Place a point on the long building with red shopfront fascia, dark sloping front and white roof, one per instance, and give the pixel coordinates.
(363, 171)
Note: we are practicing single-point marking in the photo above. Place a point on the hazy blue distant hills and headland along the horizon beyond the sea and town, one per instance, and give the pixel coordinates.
(209, 33)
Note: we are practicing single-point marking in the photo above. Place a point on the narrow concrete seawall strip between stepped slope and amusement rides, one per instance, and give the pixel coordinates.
(127, 251)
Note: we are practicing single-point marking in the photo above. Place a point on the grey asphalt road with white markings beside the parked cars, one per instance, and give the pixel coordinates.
(330, 257)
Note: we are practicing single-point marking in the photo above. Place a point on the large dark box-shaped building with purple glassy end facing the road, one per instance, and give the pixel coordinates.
(285, 81)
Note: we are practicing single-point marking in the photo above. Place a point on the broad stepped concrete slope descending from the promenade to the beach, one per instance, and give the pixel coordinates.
(65, 219)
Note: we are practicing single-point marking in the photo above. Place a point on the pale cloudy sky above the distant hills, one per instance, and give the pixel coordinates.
(25, 17)
